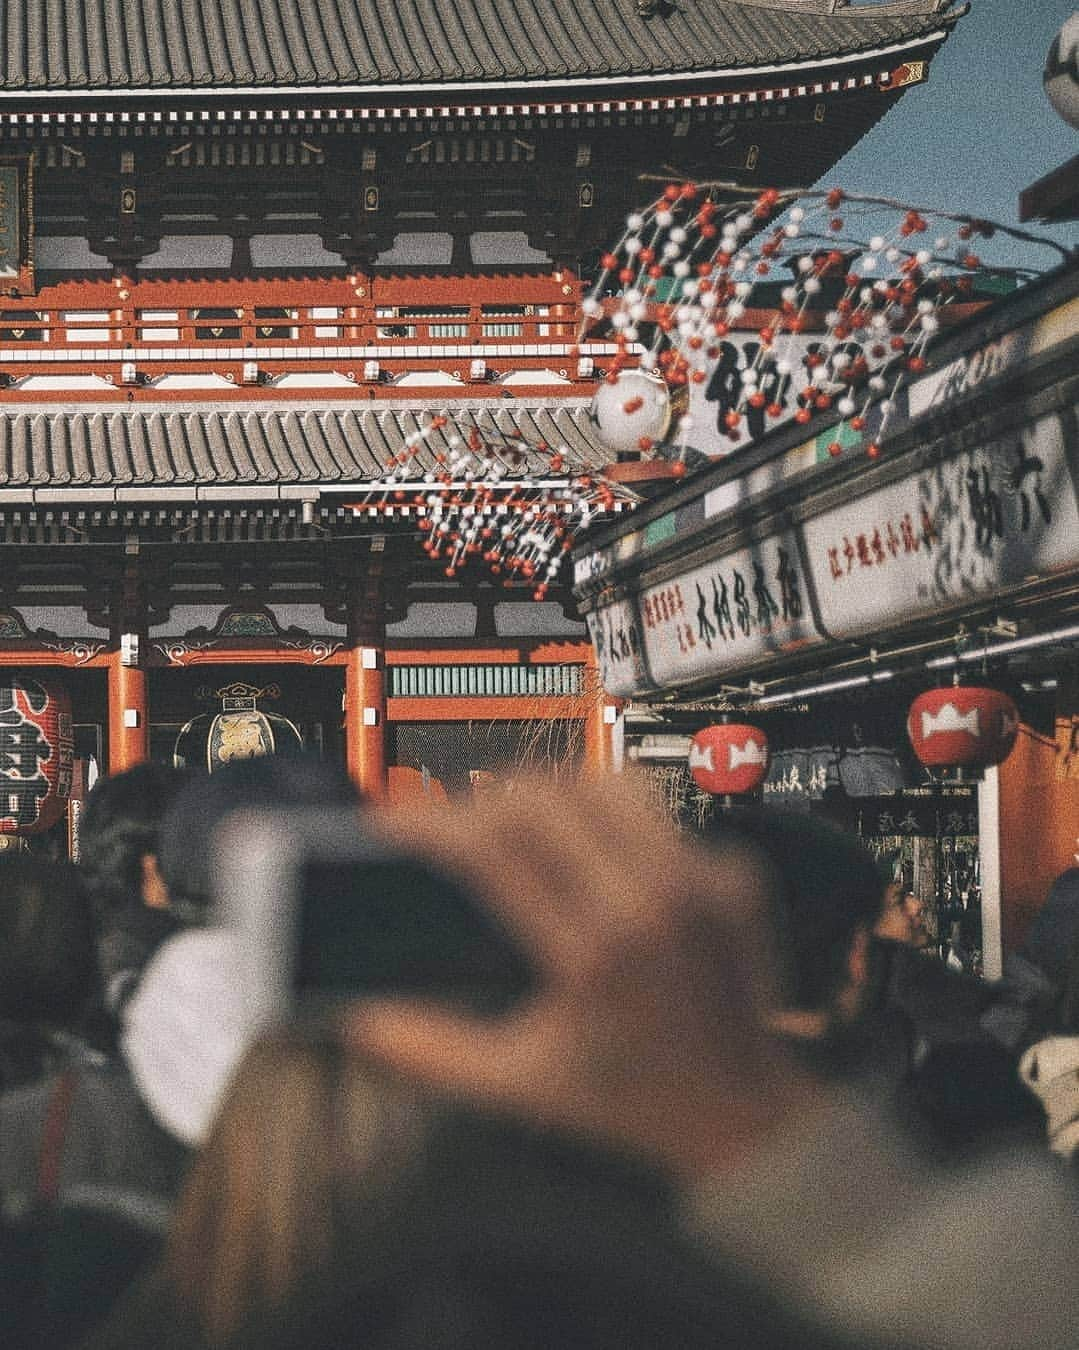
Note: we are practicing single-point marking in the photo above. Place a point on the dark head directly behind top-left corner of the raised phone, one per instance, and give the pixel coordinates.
(269, 781)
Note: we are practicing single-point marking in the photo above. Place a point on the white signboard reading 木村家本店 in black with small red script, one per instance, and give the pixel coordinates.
(726, 615)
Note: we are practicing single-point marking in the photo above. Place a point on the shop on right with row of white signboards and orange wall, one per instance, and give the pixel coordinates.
(818, 596)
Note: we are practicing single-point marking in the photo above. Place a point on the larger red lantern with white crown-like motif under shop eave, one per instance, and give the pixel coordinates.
(962, 727)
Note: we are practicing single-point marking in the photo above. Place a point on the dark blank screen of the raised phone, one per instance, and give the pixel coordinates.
(392, 925)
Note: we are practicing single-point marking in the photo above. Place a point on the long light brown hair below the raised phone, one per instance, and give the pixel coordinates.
(305, 1136)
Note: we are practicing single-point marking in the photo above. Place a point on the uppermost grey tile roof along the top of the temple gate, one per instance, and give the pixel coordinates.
(326, 45)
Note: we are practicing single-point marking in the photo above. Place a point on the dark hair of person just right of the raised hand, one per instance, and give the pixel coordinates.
(827, 889)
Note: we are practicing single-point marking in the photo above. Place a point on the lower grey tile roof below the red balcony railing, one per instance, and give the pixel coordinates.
(259, 446)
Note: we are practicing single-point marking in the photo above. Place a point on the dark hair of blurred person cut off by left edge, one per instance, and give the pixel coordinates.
(48, 952)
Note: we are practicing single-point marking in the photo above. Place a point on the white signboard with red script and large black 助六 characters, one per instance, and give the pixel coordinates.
(980, 523)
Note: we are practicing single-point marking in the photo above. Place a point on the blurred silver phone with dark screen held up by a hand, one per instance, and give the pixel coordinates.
(327, 912)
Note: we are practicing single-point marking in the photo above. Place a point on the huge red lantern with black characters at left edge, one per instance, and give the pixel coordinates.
(37, 753)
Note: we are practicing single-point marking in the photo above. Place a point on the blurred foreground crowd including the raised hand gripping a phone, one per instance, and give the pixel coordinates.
(735, 1104)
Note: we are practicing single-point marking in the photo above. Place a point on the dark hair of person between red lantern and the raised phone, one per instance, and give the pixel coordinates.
(120, 826)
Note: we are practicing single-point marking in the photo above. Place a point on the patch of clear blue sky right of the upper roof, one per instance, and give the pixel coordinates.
(981, 129)
